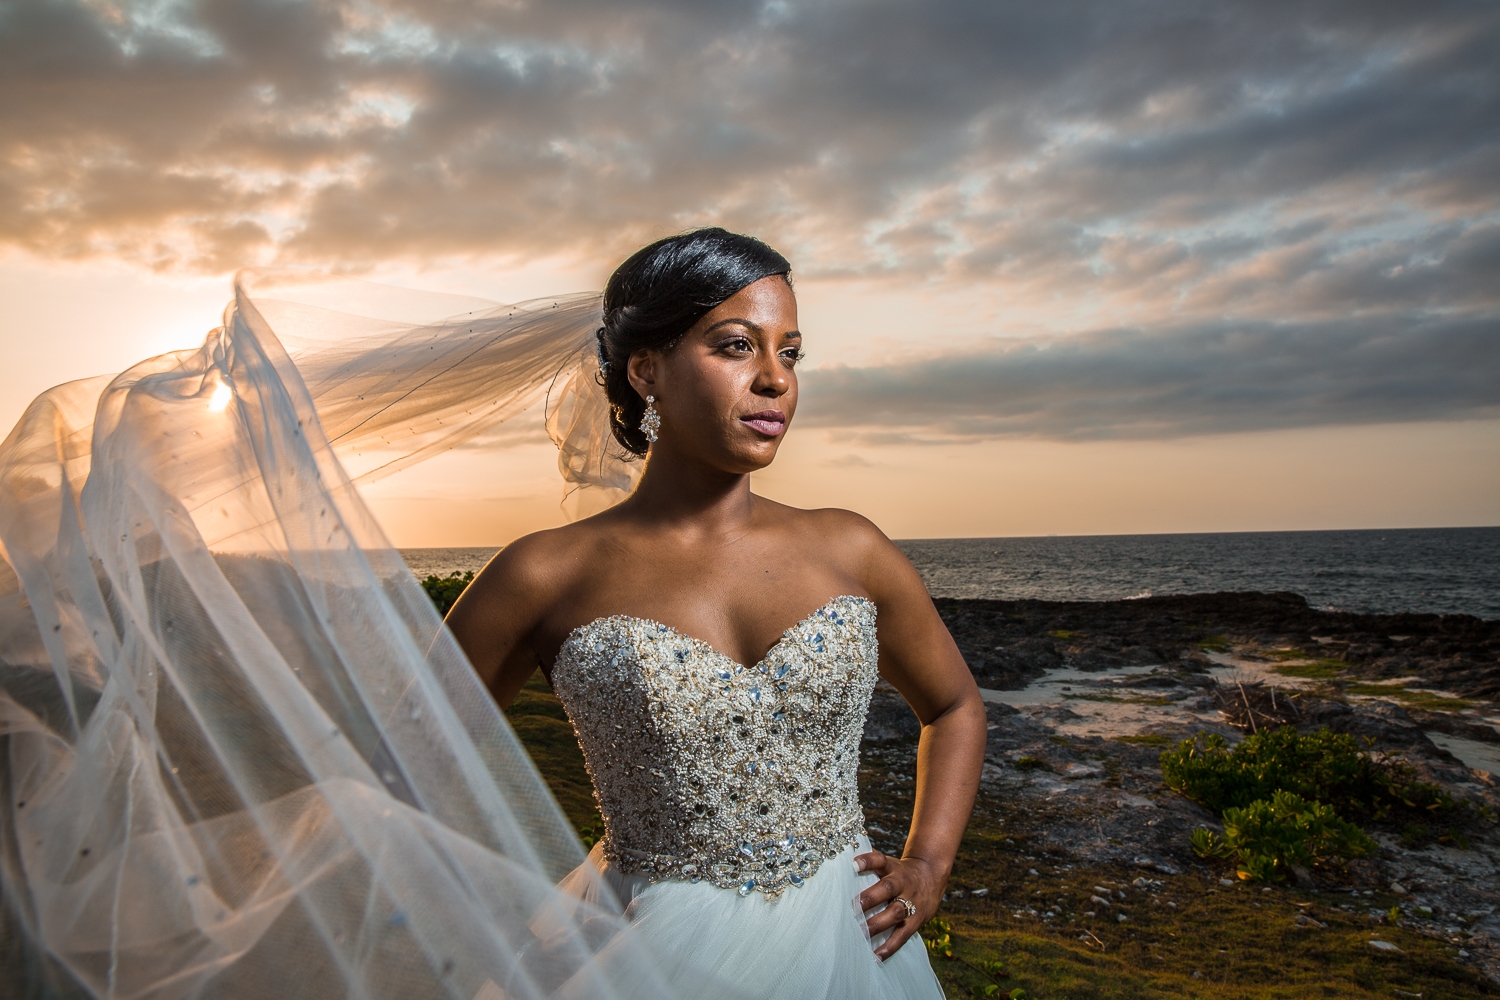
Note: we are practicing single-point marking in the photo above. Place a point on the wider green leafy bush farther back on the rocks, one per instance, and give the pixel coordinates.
(1321, 765)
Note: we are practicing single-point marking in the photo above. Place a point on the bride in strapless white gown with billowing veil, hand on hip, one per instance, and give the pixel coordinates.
(242, 756)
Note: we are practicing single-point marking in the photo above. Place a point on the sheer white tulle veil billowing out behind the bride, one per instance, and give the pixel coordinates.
(239, 753)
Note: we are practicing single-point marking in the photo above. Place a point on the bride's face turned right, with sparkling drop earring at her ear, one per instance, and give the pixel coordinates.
(728, 391)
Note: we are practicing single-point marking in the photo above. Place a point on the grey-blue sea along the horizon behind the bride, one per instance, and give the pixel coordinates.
(1445, 570)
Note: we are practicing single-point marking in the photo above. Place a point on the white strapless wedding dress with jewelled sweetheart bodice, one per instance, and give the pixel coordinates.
(731, 801)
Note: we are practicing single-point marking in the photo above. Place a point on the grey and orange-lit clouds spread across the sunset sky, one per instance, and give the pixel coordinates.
(1240, 214)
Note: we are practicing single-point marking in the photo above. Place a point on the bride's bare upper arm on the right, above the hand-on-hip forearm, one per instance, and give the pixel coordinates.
(917, 654)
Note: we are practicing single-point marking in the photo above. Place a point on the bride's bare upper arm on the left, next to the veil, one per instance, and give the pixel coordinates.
(497, 617)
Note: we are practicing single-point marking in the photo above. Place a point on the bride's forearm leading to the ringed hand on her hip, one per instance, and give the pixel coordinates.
(949, 761)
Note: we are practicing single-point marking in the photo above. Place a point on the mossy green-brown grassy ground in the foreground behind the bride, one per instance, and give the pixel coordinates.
(1241, 942)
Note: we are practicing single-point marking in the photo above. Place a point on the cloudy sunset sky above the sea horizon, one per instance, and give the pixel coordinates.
(1063, 269)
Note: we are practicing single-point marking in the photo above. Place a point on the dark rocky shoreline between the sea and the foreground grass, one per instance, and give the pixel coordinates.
(1085, 696)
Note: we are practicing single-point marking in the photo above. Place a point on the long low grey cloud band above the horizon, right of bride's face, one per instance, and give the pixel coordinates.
(1198, 380)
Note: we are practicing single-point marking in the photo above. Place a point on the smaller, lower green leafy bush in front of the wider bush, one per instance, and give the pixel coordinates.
(1270, 836)
